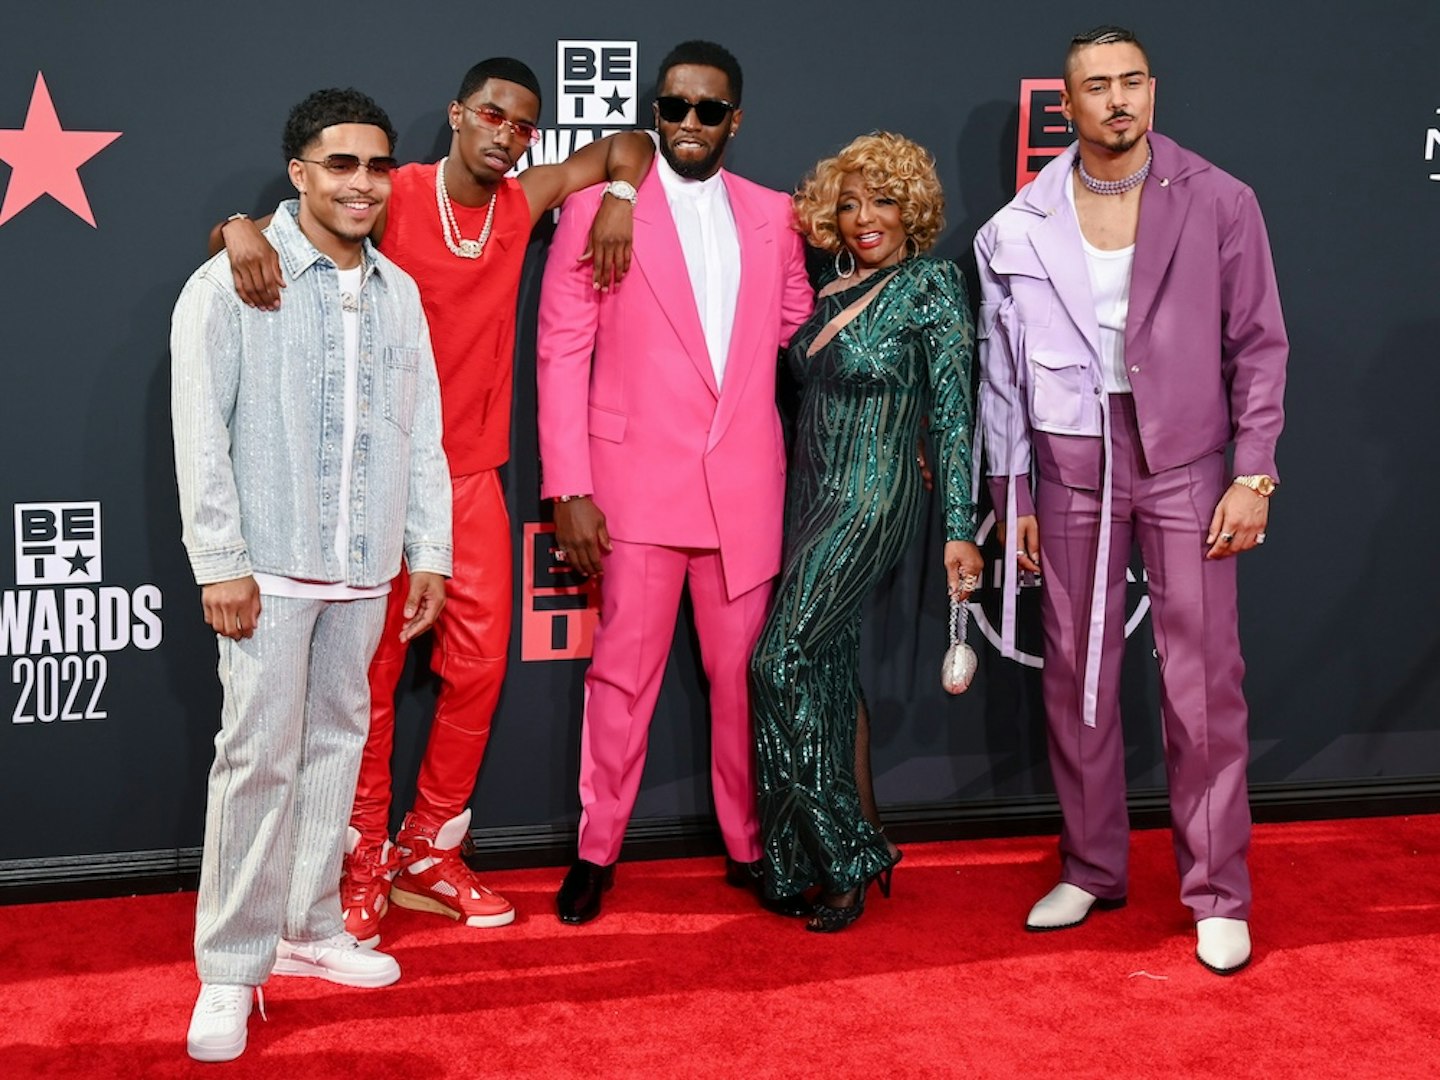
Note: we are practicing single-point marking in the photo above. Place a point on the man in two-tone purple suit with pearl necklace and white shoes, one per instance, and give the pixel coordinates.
(1130, 332)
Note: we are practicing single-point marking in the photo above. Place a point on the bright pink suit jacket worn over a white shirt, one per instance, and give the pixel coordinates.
(630, 410)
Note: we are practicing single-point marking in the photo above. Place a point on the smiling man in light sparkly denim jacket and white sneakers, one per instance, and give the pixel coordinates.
(309, 460)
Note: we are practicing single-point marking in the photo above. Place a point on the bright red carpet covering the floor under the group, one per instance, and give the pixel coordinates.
(685, 977)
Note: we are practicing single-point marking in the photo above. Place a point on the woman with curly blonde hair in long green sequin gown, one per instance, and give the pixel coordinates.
(891, 343)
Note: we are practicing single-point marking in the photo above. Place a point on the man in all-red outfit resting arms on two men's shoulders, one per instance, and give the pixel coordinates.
(460, 228)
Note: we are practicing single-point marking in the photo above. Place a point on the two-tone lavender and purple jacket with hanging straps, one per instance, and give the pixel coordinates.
(1205, 341)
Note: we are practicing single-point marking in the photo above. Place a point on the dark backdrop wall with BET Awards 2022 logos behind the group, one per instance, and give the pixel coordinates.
(109, 698)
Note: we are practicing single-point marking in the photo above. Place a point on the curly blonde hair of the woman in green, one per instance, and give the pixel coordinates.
(889, 163)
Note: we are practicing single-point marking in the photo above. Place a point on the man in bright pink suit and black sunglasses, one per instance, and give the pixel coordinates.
(662, 449)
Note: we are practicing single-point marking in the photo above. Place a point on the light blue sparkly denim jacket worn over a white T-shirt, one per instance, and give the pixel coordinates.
(258, 413)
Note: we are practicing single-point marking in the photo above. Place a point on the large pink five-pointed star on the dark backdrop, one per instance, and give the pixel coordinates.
(47, 159)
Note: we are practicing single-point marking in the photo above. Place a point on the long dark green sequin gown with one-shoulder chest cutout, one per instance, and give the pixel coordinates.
(853, 503)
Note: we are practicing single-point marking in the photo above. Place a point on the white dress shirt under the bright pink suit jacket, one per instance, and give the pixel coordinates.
(712, 247)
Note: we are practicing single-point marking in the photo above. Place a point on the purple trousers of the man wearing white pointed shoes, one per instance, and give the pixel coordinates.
(1196, 624)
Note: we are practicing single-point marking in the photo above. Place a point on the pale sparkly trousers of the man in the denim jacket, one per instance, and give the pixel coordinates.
(293, 725)
